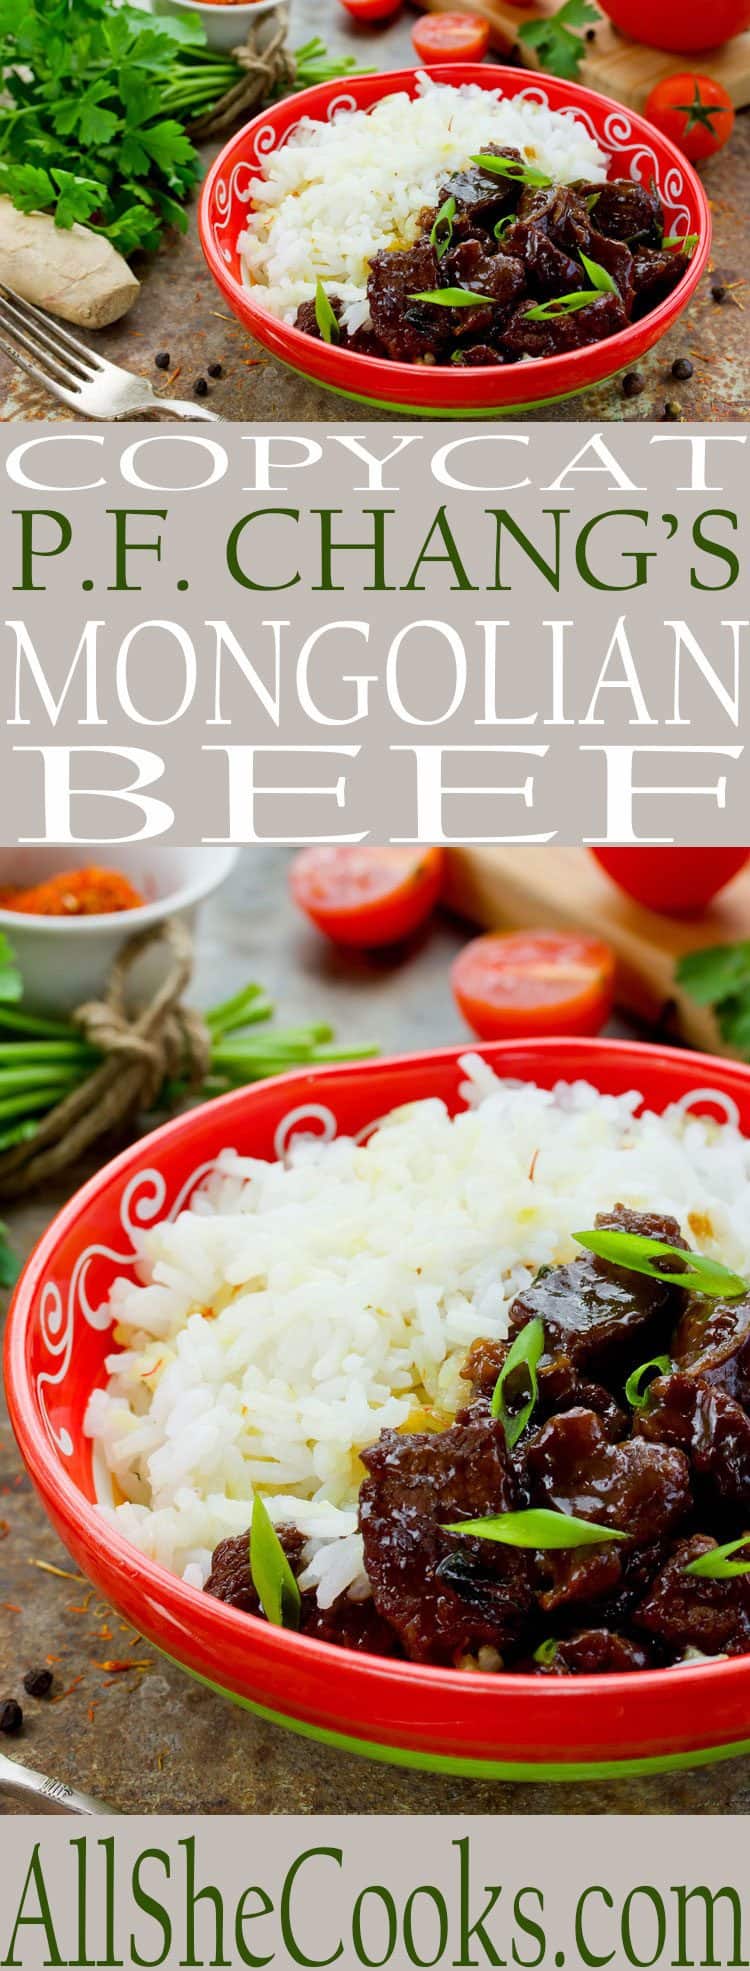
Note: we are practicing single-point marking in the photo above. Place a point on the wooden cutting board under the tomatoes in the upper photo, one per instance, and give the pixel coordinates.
(613, 64)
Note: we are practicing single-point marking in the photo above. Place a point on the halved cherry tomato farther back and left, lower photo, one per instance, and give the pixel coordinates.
(367, 896)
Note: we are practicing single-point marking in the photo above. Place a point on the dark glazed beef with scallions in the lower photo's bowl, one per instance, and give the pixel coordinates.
(601, 1467)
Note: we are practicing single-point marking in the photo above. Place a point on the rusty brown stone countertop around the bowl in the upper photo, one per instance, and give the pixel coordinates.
(182, 310)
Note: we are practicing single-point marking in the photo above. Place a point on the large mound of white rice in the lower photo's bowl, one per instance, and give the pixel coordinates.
(300, 1308)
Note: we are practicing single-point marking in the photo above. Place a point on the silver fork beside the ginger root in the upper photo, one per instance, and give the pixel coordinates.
(80, 375)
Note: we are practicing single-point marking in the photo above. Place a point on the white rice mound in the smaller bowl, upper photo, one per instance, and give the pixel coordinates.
(342, 192)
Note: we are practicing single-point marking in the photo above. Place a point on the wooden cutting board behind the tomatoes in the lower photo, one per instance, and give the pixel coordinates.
(566, 890)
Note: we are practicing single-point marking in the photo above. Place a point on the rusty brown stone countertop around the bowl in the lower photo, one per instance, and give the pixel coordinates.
(151, 1739)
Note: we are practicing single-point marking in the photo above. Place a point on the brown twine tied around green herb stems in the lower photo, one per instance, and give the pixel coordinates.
(141, 1052)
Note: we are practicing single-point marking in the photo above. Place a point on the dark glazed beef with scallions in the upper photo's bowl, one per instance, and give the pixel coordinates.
(507, 267)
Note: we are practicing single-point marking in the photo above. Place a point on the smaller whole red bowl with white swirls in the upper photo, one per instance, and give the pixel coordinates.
(639, 153)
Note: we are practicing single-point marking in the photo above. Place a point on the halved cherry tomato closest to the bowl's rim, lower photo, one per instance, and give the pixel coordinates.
(523, 983)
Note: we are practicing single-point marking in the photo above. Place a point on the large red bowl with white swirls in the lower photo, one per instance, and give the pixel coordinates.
(509, 1728)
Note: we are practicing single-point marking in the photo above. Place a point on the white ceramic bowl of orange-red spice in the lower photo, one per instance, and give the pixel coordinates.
(68, 959)
